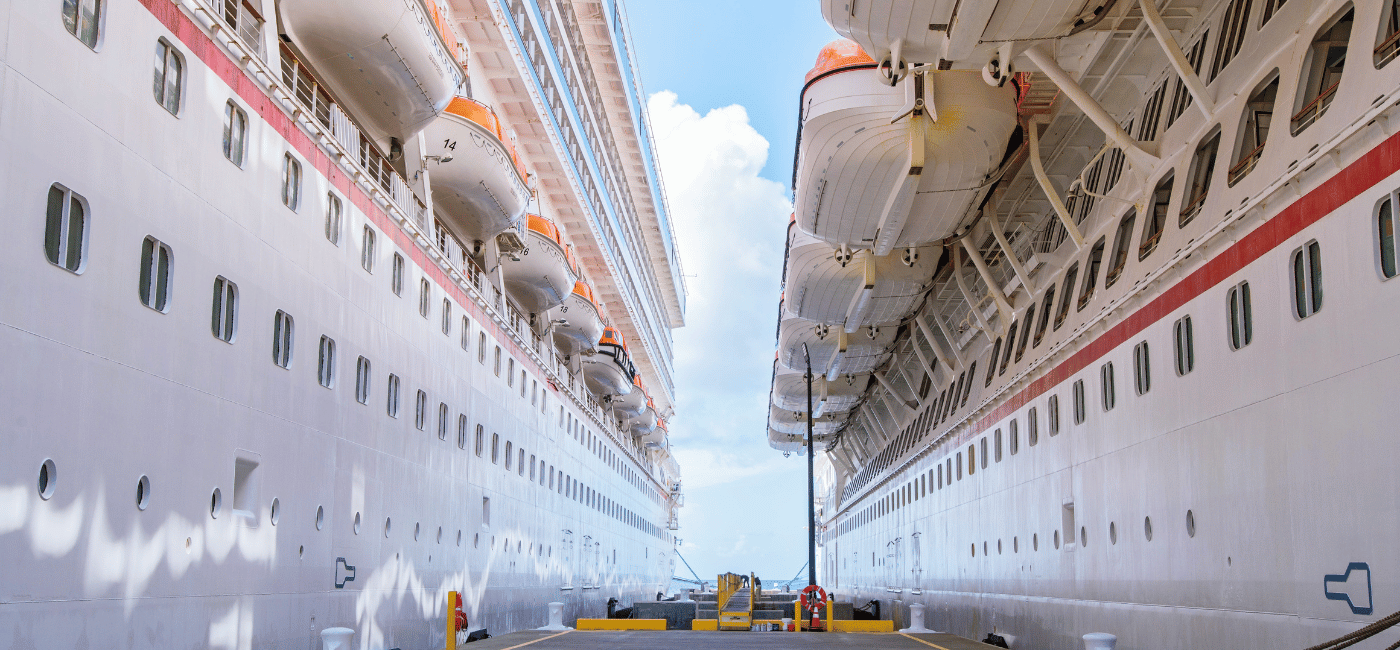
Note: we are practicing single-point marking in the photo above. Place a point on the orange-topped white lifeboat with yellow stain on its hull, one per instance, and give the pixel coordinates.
(867, 184)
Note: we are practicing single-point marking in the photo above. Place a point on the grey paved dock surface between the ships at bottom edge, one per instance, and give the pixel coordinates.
(729, 641)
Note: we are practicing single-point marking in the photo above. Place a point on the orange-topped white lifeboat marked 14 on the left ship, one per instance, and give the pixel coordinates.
(478, 183)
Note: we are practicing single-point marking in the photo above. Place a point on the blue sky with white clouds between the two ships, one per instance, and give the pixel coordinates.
(724, 81)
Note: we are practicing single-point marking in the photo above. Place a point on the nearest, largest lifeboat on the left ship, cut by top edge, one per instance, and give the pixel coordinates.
(387, 61)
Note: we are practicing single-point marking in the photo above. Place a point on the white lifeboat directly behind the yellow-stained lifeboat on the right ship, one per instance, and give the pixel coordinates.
(867, 291)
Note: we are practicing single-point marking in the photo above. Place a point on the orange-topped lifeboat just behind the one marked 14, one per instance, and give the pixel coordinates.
(544, 275)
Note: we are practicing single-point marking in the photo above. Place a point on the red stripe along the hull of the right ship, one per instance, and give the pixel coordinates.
(1349, 184)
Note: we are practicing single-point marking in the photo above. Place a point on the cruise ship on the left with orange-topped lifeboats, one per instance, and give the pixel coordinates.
(317, 312)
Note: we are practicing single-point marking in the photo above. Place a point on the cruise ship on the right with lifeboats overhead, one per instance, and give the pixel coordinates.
(1093, 347)
